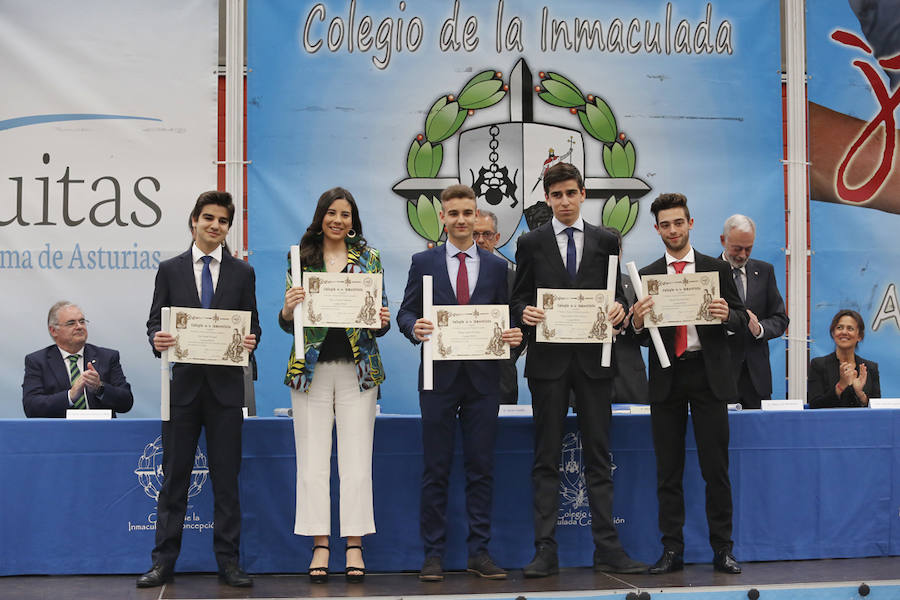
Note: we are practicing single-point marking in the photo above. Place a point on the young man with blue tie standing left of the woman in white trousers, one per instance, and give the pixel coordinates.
(210, 396)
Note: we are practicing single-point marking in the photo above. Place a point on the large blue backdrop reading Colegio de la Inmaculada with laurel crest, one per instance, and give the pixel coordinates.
(396, 101)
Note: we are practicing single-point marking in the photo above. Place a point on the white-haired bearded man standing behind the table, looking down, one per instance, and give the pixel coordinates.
(755, 281)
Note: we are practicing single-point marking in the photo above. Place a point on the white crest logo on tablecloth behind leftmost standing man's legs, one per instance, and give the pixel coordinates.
(150, 475)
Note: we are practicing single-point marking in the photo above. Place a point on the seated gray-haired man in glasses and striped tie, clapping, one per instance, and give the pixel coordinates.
(70, 373)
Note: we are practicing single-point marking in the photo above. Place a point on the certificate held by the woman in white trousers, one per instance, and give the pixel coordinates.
(348, 300)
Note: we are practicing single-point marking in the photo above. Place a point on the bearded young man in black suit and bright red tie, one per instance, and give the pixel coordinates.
(701, 376)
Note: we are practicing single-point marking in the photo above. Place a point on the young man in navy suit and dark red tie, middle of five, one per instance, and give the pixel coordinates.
(462, 274)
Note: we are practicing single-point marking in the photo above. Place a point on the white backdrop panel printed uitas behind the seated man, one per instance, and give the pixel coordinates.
(107, 136)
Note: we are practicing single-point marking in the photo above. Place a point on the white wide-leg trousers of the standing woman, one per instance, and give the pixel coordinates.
(334, 396)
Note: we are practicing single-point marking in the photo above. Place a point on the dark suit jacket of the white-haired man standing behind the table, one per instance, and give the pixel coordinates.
(764, 299)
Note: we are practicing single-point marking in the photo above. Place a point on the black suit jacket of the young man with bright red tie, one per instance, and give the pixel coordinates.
(713, 338)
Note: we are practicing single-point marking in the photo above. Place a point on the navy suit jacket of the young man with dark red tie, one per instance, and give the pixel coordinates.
(491, 288)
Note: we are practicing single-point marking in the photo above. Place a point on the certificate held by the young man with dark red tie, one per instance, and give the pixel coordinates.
(470, 332)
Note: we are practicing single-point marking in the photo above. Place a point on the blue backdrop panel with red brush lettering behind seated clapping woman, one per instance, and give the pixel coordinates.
(855, 178)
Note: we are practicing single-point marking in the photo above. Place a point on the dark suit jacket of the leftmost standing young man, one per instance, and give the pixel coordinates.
(235, 290)
